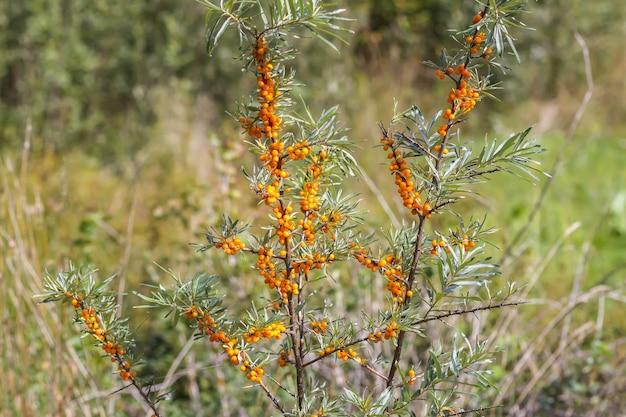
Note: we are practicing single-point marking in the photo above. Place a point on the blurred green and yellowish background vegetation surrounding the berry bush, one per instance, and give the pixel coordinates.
(116, 152)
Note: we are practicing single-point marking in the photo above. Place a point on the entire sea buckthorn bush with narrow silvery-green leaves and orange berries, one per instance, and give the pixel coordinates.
(315, 227)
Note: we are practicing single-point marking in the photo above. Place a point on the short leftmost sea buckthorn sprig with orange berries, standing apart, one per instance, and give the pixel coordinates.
(95, 308)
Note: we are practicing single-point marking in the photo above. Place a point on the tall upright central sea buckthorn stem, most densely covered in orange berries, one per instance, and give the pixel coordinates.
(300, 159)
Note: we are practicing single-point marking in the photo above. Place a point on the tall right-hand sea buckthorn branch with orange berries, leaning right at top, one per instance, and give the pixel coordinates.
(432, 173)
